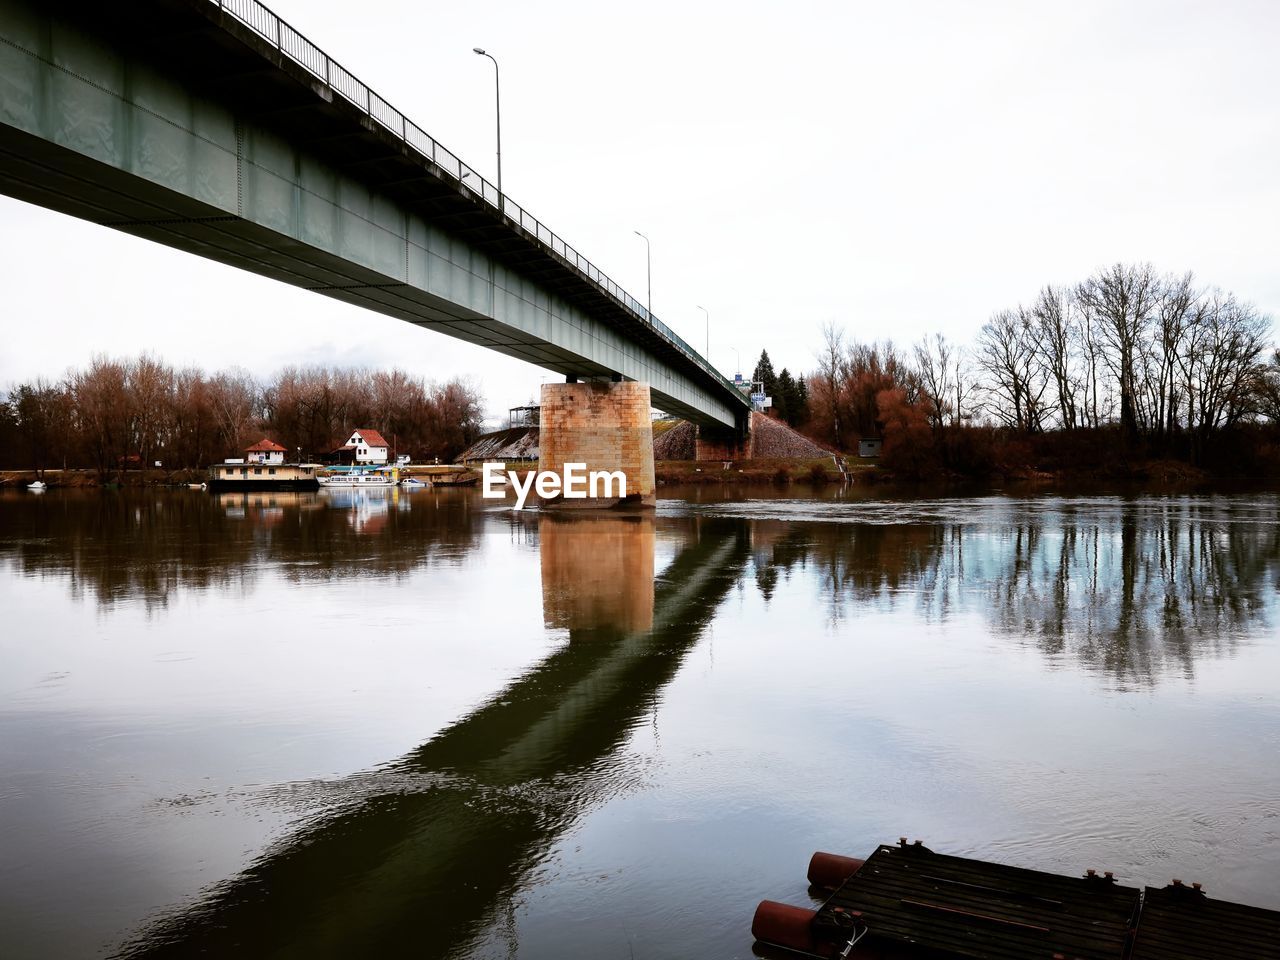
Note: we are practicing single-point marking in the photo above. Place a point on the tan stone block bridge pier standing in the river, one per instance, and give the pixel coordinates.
(605, 426)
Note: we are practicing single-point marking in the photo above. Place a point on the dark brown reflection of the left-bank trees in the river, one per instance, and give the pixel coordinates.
(150, 545)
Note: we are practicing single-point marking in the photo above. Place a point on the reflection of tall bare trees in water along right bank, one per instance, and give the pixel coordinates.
(1130, 588)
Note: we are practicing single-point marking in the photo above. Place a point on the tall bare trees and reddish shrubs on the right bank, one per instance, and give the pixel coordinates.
(1159, 363)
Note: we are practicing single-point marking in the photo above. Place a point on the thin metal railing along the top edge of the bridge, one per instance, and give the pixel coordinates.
(303, 52)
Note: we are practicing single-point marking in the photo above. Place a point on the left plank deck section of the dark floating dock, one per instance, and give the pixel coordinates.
(949, 907)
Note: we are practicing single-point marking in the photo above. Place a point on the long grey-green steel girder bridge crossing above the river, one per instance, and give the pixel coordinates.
(216, 127)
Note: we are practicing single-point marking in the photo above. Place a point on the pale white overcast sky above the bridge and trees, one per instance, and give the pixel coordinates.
(897, 168)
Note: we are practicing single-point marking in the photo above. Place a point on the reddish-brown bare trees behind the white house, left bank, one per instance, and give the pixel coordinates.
(120, 414)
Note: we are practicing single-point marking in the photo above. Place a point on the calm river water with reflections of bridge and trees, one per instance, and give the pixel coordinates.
(314, 725)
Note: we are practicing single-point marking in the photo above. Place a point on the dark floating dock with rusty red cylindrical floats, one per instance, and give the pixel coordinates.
(909, 903)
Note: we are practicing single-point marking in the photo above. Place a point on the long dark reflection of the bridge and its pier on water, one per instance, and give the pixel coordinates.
(422, 852)
